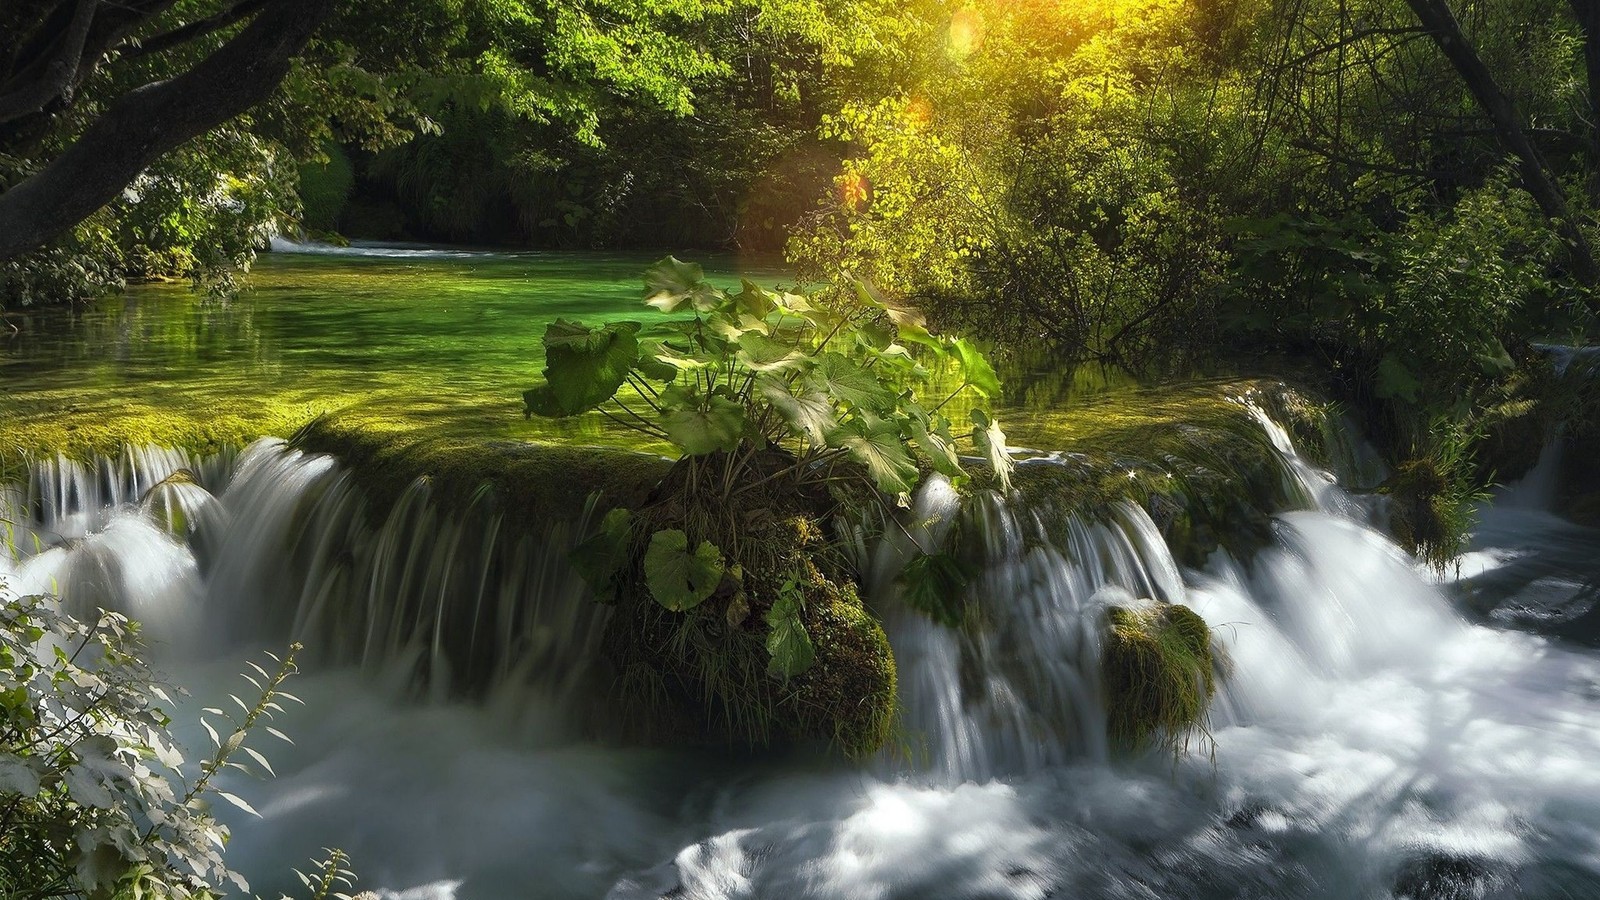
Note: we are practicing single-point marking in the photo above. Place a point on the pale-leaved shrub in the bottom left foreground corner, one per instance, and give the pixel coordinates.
(97, 797)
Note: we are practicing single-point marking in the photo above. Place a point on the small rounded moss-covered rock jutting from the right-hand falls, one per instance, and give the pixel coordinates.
(1159, 675)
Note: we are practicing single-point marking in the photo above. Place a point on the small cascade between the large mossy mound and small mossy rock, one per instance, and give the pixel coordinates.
(1023, 691)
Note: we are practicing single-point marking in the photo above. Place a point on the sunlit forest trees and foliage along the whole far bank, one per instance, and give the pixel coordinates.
(1402, 188)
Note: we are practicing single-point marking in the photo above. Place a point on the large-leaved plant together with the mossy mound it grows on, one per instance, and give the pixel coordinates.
(790, 417)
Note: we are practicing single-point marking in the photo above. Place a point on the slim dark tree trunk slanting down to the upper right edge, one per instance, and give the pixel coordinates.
(1442, 26)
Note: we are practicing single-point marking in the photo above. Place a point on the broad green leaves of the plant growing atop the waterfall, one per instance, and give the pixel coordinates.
(762, 393)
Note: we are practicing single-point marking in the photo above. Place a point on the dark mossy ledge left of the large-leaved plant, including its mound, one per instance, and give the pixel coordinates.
(698, 677)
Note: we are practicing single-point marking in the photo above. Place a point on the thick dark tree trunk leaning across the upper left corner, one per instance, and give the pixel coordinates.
(148, 123)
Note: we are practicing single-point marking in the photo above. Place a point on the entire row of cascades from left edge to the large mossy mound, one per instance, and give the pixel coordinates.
(278, 545)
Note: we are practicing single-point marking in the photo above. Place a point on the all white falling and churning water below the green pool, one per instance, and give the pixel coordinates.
(1367, 742)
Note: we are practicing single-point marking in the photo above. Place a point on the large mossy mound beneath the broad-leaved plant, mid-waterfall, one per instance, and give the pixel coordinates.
(703, 675)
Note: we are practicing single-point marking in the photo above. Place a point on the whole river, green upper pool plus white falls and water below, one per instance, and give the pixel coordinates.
(1383, 731)
